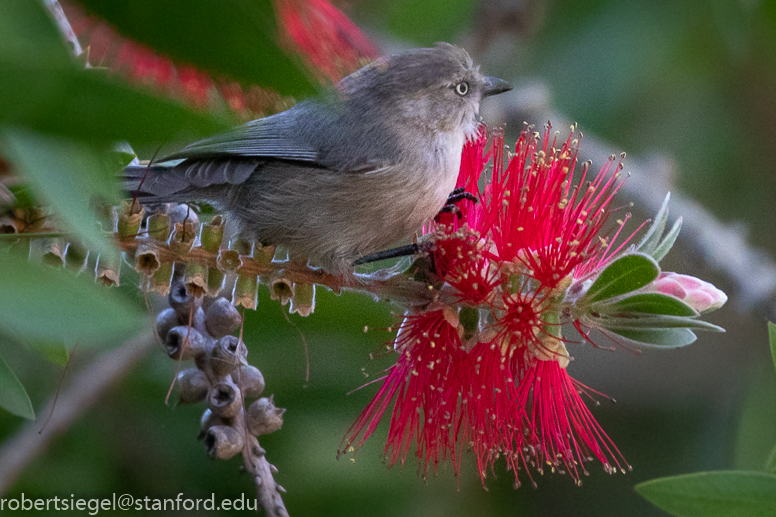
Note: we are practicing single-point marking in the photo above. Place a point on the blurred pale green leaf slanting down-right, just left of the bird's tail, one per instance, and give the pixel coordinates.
(70, 177)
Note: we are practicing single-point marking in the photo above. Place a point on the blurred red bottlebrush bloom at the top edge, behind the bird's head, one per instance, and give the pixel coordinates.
(332, 44)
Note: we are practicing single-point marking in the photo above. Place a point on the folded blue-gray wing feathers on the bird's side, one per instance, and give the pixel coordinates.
(276, 136)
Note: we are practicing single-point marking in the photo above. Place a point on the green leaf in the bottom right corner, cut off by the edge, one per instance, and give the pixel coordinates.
(714, 494)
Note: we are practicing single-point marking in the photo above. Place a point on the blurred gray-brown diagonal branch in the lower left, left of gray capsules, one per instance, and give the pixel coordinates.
(87, 387)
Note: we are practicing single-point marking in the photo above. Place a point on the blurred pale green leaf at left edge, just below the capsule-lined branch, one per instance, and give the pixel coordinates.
(43, 304)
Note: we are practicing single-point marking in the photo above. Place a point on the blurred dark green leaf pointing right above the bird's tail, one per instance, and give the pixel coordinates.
(90, 105)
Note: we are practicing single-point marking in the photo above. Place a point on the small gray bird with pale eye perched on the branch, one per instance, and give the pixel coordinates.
(346, 174)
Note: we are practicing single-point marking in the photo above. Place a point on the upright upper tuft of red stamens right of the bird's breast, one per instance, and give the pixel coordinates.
(535, 216)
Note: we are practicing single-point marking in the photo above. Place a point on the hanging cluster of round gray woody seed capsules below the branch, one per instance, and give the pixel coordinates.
(201, 329)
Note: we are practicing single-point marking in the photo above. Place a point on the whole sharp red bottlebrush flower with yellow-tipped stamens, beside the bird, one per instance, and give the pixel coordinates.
(485, 367)
